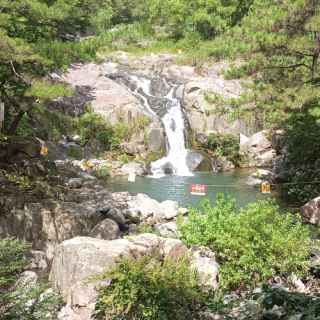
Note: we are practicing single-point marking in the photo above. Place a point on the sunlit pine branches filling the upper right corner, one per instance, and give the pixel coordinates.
(278, 43)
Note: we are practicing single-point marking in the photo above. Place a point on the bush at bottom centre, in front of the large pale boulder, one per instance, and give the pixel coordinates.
(147, 289)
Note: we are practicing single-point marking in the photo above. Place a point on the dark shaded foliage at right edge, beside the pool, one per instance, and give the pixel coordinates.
(299, 168)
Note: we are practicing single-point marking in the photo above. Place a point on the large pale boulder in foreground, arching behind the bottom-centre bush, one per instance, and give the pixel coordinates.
(78, 260)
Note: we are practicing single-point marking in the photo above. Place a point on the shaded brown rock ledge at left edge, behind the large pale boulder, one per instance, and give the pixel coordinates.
(47, 223)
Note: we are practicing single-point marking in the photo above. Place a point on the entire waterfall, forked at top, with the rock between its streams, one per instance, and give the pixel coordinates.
(170, 112)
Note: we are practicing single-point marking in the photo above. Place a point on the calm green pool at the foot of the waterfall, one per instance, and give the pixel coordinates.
(178, 188)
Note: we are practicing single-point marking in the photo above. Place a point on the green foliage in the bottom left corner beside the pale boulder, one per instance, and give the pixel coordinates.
(21, 301)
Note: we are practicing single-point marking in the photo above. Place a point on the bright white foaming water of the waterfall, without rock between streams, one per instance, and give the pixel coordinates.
(174, 124)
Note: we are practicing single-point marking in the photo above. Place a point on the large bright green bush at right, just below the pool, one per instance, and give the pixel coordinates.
(252, 244)
